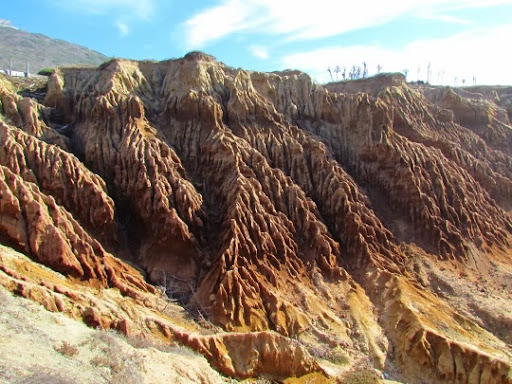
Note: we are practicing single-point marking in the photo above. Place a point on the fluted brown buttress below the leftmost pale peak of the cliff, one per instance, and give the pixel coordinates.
(143, 172)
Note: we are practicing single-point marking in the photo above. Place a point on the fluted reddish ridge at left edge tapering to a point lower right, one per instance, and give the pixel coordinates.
(41, 228)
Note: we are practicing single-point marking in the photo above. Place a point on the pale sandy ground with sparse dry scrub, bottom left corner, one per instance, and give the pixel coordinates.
(38, 347)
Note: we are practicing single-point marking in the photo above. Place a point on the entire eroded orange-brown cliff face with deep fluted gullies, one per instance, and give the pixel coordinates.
(361, 221)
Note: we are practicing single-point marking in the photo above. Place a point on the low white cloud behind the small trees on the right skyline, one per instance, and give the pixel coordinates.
(478, 52)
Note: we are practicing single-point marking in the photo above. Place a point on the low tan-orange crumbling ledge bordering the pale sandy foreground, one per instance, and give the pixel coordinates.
(233, 354)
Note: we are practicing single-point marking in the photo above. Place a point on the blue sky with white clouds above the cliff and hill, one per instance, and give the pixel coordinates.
(460, 39)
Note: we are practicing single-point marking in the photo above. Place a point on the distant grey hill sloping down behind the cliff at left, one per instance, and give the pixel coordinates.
(41, 51)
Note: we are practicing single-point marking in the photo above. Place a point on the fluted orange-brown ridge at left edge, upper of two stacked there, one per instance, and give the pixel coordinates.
(61, 175)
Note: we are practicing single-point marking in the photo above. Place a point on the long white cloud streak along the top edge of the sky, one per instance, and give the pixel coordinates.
(308, 20)
